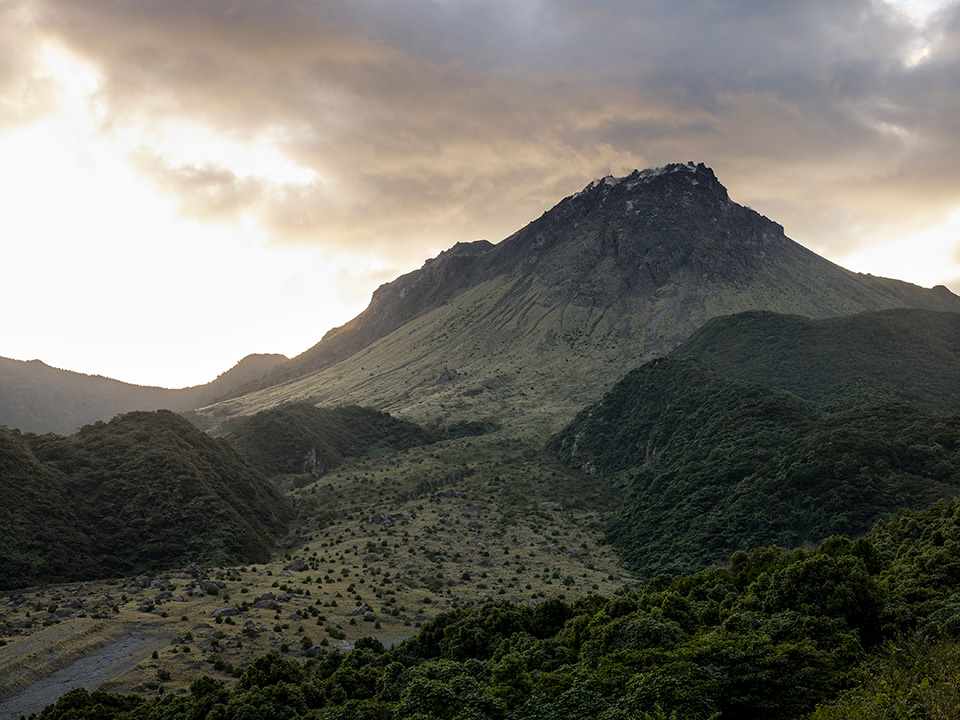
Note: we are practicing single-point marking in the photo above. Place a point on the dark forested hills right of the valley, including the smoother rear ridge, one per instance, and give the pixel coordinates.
(711, 464)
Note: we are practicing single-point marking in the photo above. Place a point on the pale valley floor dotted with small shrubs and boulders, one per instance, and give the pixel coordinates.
(380, 547)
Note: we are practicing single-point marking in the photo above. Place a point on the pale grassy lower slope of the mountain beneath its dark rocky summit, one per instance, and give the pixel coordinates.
(516, 352)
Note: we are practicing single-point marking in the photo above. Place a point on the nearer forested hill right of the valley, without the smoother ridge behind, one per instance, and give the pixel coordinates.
(711, 465)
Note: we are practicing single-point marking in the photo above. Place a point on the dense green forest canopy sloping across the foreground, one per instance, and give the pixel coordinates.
(865, 628)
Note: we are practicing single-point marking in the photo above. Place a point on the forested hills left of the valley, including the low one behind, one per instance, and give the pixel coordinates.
(149, 491)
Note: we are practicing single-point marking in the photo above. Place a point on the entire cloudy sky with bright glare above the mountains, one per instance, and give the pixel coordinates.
(186, 182)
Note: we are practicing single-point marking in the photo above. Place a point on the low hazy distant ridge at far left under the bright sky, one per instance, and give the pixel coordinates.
(35, 397)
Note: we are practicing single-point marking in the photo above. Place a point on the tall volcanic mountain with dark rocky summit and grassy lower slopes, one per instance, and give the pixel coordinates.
(530, 329)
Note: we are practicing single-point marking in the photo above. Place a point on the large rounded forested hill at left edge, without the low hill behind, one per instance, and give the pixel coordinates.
(145, 491)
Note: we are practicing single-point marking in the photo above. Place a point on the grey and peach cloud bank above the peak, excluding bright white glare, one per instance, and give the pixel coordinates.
(432, 121)
